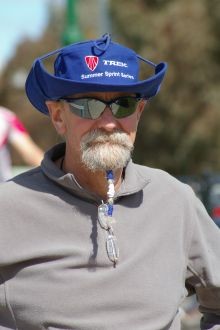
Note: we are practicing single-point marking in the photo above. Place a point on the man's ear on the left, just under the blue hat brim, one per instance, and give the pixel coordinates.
(56, 111)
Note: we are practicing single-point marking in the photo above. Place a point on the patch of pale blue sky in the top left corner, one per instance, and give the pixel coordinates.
(19, 19)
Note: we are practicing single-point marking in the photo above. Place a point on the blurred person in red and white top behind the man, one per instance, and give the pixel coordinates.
(13, 132)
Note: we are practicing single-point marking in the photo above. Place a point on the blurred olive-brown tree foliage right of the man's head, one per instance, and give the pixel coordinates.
(180, 128)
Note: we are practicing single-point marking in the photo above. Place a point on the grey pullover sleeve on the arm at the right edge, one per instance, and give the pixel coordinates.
(203, 272)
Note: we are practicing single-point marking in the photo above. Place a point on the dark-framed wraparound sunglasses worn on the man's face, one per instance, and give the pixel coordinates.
(92, 108)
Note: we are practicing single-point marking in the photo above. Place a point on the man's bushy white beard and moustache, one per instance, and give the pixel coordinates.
(102, 151)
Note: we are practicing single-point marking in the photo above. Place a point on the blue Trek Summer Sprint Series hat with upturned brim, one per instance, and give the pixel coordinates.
(91, 66)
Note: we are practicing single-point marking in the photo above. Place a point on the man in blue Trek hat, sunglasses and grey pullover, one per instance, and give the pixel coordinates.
(90, 240)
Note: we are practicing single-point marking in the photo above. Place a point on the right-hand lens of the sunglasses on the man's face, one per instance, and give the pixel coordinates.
(124, 107)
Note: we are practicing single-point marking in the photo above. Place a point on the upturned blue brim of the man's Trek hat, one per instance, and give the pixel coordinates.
(42, 86)
